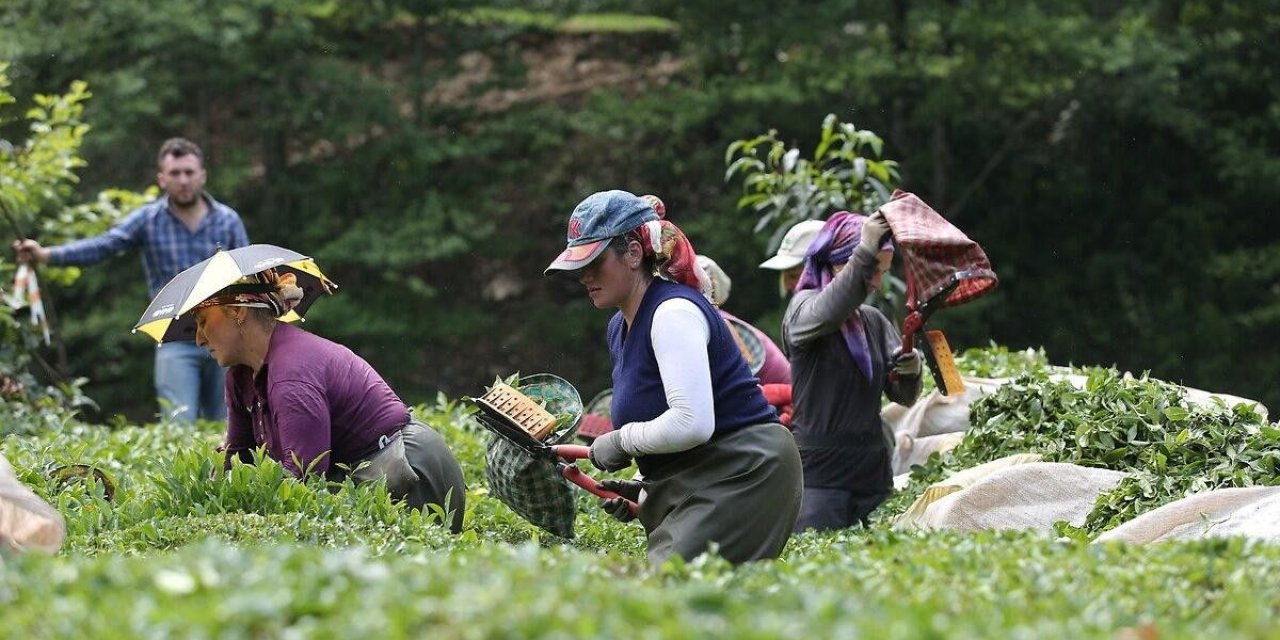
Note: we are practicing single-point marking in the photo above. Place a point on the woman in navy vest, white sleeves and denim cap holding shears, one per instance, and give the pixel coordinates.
(717, 469)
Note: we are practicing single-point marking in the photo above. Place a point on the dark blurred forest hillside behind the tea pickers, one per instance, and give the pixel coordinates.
(1119, 163)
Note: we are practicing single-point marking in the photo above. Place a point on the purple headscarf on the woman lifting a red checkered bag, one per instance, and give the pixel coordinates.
(834, 246)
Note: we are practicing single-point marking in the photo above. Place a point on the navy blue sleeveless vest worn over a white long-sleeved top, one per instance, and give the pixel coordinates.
(638, 392)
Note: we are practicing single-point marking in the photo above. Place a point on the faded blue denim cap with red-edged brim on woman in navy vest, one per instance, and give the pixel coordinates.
(595, 222)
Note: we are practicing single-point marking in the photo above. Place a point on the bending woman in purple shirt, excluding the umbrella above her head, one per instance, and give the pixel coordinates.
(316, 405)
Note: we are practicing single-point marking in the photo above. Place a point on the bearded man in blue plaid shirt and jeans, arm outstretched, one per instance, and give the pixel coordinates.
(175, 232)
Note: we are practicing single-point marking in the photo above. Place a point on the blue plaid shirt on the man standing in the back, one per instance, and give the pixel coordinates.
(168, 246)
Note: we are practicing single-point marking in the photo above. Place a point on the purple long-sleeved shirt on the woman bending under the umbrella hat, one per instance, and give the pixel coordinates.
(312, 396)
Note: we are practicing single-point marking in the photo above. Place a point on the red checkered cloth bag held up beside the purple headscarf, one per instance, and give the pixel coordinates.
(934, 252)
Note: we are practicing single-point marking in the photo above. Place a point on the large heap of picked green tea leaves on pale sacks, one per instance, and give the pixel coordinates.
(1149, 428)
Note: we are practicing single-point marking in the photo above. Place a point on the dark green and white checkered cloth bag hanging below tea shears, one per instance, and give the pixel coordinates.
(533, 488)
